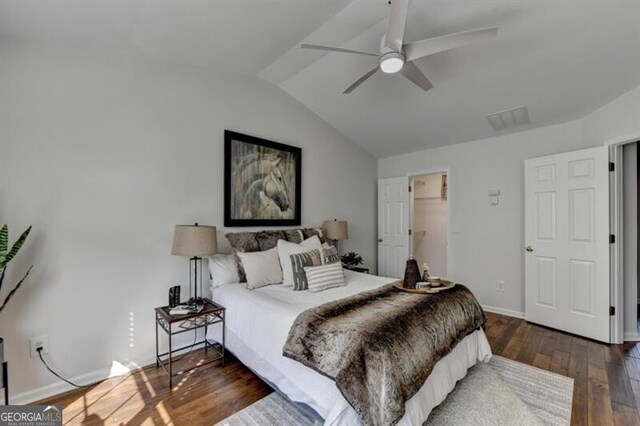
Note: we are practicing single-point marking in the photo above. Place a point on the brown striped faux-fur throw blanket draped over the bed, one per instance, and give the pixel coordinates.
(381, 345)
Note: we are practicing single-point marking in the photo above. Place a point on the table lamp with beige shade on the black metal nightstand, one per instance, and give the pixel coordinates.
(194, 241)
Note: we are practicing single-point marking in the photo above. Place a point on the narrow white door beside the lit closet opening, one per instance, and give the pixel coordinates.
(393, 230)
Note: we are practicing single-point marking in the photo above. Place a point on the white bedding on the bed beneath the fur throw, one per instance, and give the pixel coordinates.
(257, 326)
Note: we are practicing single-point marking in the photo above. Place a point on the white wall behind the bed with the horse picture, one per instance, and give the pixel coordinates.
(103, 155)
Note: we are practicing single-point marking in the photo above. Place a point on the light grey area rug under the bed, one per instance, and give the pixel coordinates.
(504, 392)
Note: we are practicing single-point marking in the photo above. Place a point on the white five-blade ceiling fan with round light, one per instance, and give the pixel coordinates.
(397, 57)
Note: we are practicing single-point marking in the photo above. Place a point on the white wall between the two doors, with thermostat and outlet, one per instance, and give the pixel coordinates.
(490, 241)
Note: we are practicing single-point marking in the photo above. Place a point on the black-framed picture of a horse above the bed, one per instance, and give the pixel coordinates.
(262, 184)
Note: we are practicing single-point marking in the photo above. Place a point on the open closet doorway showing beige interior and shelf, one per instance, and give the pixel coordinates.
(429, 235)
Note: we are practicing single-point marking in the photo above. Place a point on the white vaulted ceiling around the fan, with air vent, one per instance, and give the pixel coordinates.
(562, 59)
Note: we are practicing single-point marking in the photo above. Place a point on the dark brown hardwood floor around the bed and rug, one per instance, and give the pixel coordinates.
(606, 392)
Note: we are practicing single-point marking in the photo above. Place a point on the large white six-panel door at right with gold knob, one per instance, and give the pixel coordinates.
(567, 242)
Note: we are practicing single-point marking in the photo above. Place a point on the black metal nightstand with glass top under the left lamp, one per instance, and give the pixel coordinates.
(212, 313)
